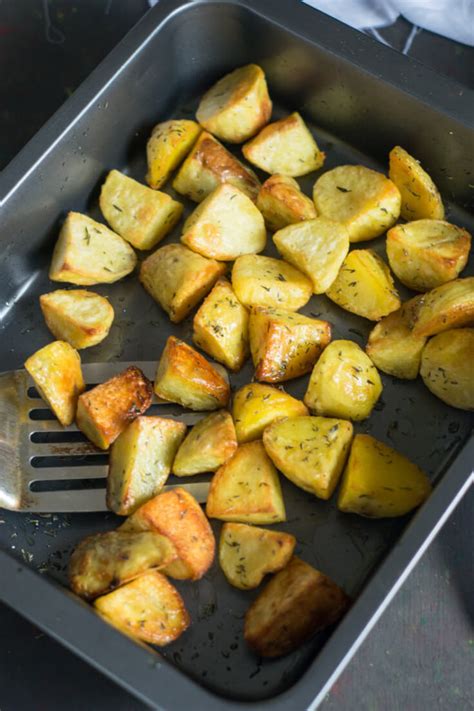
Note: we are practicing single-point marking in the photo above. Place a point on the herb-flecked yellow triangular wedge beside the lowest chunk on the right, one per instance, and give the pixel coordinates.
(310, 451)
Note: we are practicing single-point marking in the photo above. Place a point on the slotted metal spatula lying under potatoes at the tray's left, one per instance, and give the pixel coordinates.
(49, 468)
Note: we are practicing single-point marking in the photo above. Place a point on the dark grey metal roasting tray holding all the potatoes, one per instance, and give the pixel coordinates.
(360, 98)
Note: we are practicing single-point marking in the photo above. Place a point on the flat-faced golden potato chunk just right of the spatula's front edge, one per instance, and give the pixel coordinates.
(247, 488)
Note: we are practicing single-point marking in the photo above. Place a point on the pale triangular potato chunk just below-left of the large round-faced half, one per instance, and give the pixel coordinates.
(316, 247)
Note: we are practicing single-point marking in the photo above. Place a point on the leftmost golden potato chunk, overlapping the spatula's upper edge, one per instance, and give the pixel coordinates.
(56, 371)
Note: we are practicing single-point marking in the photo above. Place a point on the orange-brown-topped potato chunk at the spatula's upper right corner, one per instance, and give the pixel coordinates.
(186, 377)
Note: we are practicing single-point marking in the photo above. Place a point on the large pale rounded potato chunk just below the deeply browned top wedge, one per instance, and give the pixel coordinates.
(225, 225)
